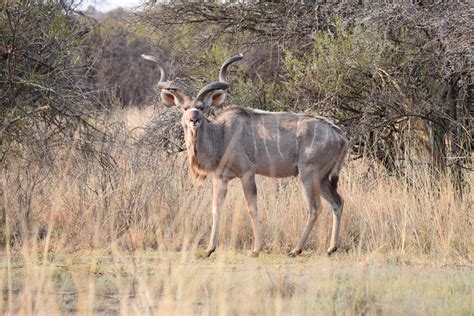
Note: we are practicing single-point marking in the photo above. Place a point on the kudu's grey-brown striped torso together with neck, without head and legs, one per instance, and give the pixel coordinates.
(270, 144)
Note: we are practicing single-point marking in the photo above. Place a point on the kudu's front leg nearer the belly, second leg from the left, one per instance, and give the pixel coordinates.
(250, 191)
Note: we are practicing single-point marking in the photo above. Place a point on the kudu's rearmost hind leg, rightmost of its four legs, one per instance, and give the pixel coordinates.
(329, 193)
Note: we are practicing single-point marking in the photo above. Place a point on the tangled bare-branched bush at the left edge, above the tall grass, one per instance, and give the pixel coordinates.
(43, 99)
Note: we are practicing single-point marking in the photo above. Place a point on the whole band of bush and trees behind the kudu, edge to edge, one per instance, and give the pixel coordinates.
(397, 77)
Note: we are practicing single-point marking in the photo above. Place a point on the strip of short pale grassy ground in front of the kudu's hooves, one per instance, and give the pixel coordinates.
(232, 283)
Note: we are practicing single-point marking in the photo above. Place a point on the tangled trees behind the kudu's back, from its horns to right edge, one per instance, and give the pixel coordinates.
(396, 76)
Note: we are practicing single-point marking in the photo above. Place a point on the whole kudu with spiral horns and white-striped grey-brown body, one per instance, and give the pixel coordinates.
(242, 142)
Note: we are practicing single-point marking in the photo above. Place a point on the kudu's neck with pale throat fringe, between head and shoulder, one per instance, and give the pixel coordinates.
(203, 147)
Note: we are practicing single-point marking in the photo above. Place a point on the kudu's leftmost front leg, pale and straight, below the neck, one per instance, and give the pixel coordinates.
(219, 191)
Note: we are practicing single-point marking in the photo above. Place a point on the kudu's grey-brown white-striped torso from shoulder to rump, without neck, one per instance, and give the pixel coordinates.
(279, 144)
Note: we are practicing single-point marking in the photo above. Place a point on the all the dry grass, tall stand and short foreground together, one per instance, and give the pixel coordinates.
(120, 236)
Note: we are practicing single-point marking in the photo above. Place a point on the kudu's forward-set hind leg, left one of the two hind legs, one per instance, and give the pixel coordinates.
(311, 185)
